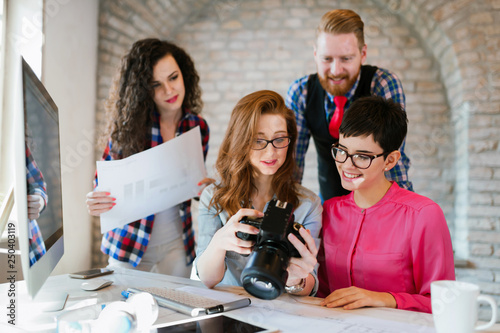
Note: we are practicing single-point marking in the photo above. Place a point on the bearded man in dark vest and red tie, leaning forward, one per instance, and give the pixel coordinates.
(320, 99)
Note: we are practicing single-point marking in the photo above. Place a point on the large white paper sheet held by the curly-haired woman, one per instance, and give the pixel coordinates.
(153, 180)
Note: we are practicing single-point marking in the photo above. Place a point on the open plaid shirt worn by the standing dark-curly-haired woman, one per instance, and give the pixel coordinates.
(130, 242)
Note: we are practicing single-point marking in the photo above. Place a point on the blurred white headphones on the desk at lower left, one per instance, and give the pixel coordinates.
(137, 314)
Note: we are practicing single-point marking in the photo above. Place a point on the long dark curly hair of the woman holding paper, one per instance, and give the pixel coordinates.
(130, 106)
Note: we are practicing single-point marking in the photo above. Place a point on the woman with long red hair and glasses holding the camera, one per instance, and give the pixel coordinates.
(255, 165)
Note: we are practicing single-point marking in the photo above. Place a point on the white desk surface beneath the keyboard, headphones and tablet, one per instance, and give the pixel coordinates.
(288, 313)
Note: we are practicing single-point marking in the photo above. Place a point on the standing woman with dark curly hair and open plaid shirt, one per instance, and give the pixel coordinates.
(155, 97)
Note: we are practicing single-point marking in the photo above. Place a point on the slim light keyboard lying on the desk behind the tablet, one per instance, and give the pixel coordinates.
(179, 300)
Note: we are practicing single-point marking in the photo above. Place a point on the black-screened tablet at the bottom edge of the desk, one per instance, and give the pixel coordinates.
(219, 323)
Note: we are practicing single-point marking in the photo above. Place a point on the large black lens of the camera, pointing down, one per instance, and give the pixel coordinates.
(265, 272)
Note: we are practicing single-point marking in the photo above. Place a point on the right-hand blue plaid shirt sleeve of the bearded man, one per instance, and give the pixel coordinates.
(387, 85)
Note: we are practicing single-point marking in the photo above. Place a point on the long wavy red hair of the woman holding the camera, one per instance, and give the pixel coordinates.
(233, 162)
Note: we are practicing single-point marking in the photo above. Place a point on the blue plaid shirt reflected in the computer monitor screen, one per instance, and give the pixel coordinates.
(36, 185)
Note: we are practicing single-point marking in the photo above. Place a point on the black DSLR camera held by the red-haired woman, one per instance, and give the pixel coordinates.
(265, 274)
